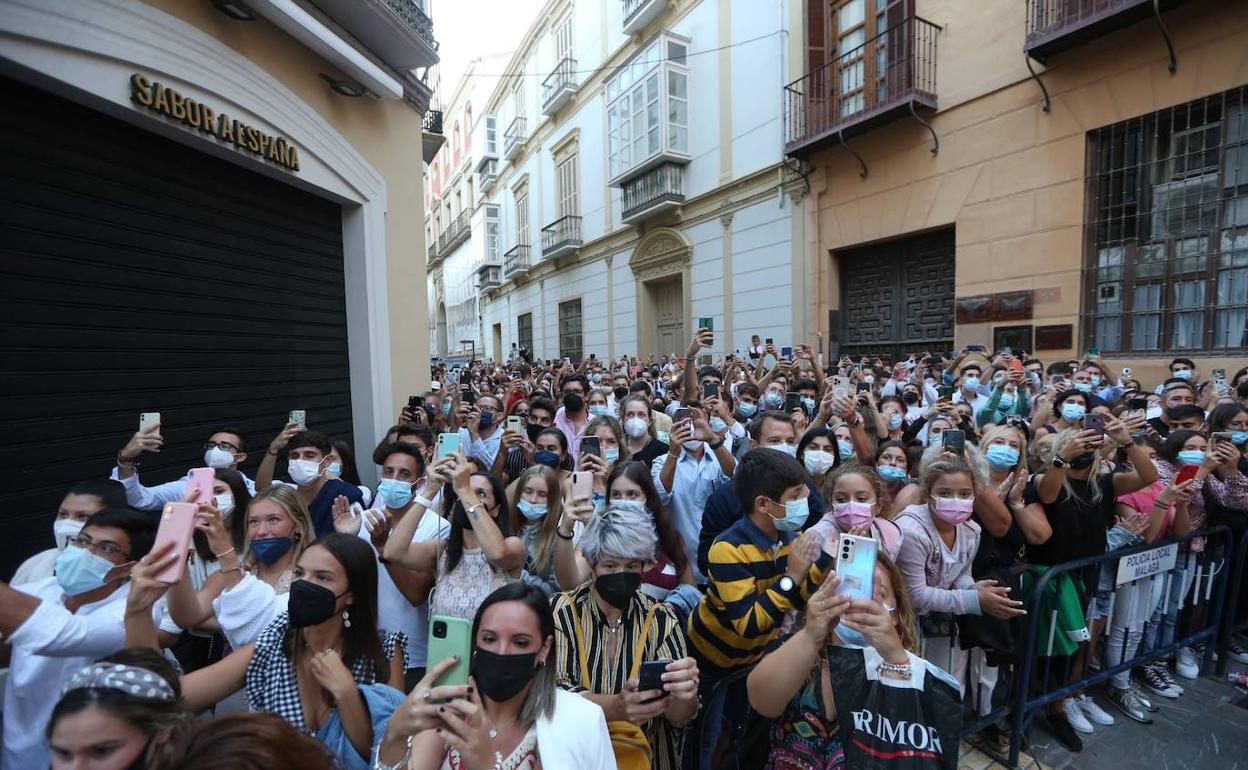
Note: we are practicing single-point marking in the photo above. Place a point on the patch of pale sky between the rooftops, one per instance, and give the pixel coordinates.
(467, 29)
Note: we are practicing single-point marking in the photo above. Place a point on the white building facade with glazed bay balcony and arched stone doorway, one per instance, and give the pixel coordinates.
(638, 183)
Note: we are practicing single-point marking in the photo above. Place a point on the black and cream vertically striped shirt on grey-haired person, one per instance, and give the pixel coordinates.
(666, 641)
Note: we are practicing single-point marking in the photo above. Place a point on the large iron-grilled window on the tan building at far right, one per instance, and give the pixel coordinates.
(1168, 244)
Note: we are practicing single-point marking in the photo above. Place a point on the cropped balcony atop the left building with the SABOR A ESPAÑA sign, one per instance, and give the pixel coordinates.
(399, 32)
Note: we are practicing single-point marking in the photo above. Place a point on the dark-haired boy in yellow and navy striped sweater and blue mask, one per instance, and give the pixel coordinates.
(757, 573)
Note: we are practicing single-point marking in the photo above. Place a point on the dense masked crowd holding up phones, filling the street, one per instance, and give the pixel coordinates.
(648, 556)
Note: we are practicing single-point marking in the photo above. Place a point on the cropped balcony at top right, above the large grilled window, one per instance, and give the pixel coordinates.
(1058, 26)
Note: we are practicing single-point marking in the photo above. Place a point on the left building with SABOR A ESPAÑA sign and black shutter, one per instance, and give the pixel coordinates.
(213, 212)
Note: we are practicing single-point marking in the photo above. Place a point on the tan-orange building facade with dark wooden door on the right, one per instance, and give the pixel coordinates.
(958, 198)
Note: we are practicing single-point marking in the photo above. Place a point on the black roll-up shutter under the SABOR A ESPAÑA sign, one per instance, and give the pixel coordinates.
(140, 275)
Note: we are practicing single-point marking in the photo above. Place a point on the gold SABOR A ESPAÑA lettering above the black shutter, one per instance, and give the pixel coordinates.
(228, 130)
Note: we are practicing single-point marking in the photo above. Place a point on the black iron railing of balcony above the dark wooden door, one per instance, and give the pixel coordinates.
(880, 80)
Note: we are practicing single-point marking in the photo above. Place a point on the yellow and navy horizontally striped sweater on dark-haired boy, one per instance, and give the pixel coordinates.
(742, 611)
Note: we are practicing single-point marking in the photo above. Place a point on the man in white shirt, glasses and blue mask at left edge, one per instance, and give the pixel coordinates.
(61, 625)
